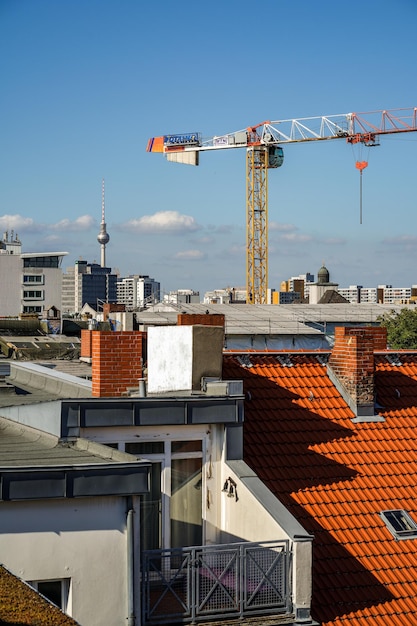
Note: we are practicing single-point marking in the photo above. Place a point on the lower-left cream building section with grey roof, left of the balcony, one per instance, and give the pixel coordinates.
(67, 523)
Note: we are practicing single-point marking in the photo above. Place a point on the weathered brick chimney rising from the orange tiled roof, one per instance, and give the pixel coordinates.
(351, 367)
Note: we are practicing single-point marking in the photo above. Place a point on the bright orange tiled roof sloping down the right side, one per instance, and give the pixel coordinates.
(335, 476)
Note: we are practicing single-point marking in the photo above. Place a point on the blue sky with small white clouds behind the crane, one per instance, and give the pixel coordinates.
(85, 83)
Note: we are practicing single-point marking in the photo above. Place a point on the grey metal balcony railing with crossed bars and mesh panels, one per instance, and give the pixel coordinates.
(211, 582)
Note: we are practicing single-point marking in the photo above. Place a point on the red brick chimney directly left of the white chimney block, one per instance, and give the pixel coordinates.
(117, 361)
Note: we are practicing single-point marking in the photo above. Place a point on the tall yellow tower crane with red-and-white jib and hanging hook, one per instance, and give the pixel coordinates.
(263, 152)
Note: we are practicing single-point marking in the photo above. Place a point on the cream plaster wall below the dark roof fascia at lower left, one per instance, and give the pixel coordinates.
(83, 540)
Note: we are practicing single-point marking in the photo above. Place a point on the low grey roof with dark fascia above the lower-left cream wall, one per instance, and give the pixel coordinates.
(37, 465)
